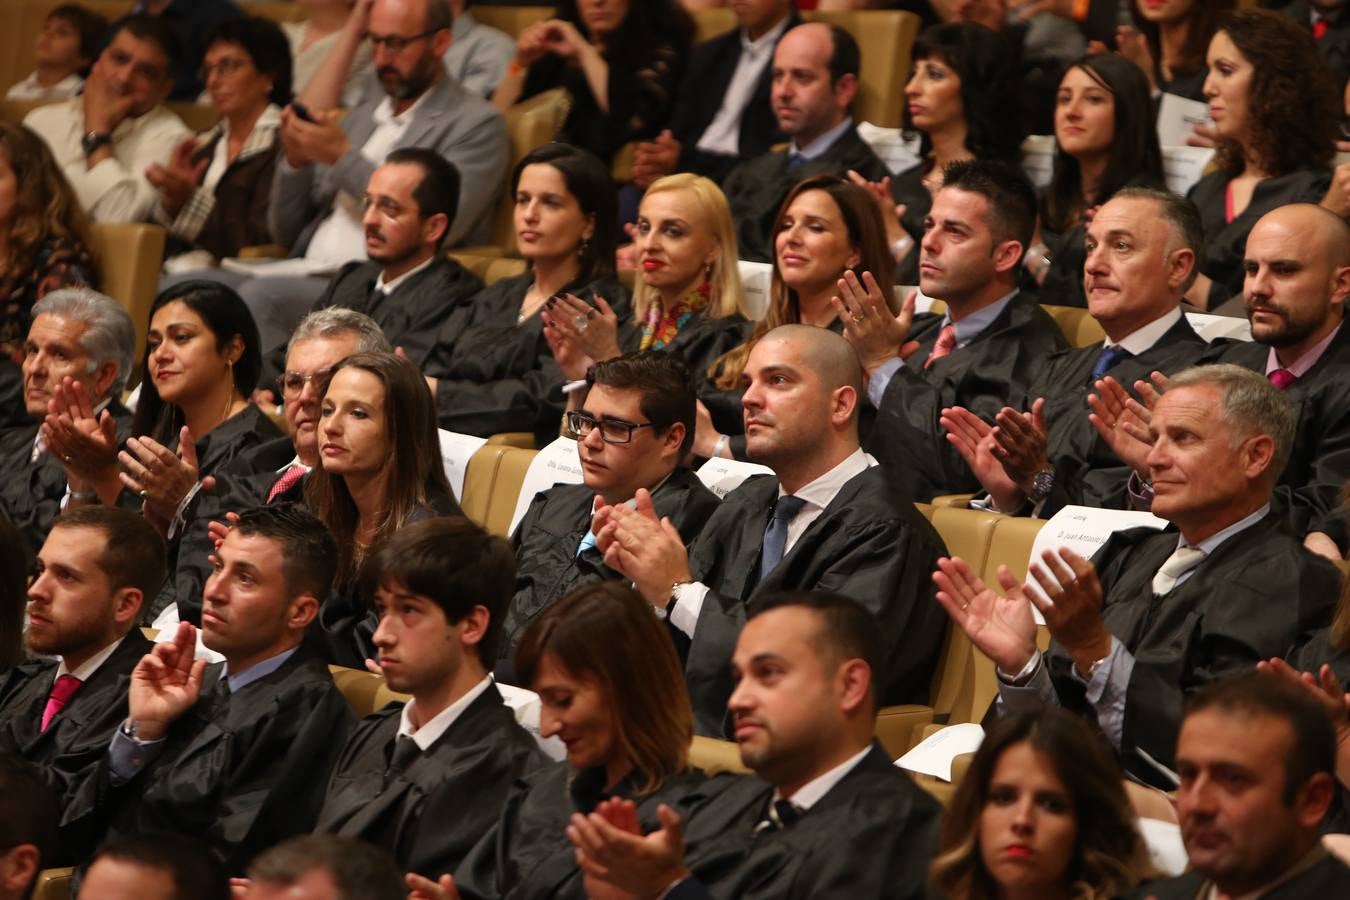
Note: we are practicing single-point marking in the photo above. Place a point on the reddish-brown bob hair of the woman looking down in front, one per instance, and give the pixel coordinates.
(607, 634)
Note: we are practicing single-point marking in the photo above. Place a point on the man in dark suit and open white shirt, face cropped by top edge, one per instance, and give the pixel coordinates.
(723, 113)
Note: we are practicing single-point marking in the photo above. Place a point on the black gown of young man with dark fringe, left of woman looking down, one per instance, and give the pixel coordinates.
(434, 812)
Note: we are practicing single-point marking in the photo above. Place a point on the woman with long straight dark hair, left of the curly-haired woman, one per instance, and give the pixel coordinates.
(1105, 140)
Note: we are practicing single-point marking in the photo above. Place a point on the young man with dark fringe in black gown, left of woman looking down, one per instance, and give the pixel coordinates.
(426, 781)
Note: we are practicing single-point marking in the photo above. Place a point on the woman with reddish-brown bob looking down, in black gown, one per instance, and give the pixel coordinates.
(611, 686)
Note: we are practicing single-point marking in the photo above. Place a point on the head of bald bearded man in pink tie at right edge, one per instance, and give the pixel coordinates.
(1298, 279)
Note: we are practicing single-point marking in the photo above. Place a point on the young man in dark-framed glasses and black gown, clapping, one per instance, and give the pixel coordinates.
(634, 431)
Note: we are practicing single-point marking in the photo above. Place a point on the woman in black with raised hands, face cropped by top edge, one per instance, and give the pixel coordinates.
(620, 61)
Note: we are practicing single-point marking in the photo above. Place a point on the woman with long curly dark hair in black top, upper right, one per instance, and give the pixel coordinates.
(1275, 110)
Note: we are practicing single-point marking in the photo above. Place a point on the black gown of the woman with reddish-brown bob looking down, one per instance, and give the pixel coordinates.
(527, 856)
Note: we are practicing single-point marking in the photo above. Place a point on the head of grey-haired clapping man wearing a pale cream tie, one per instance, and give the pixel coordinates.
(1221, 439)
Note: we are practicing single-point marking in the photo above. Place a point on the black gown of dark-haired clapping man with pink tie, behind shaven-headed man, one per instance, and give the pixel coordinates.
(993, 372)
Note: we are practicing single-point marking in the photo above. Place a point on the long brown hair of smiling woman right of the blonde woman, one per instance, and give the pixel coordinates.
(866, 231)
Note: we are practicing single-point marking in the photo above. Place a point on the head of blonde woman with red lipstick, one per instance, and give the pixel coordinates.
(686, 252)
